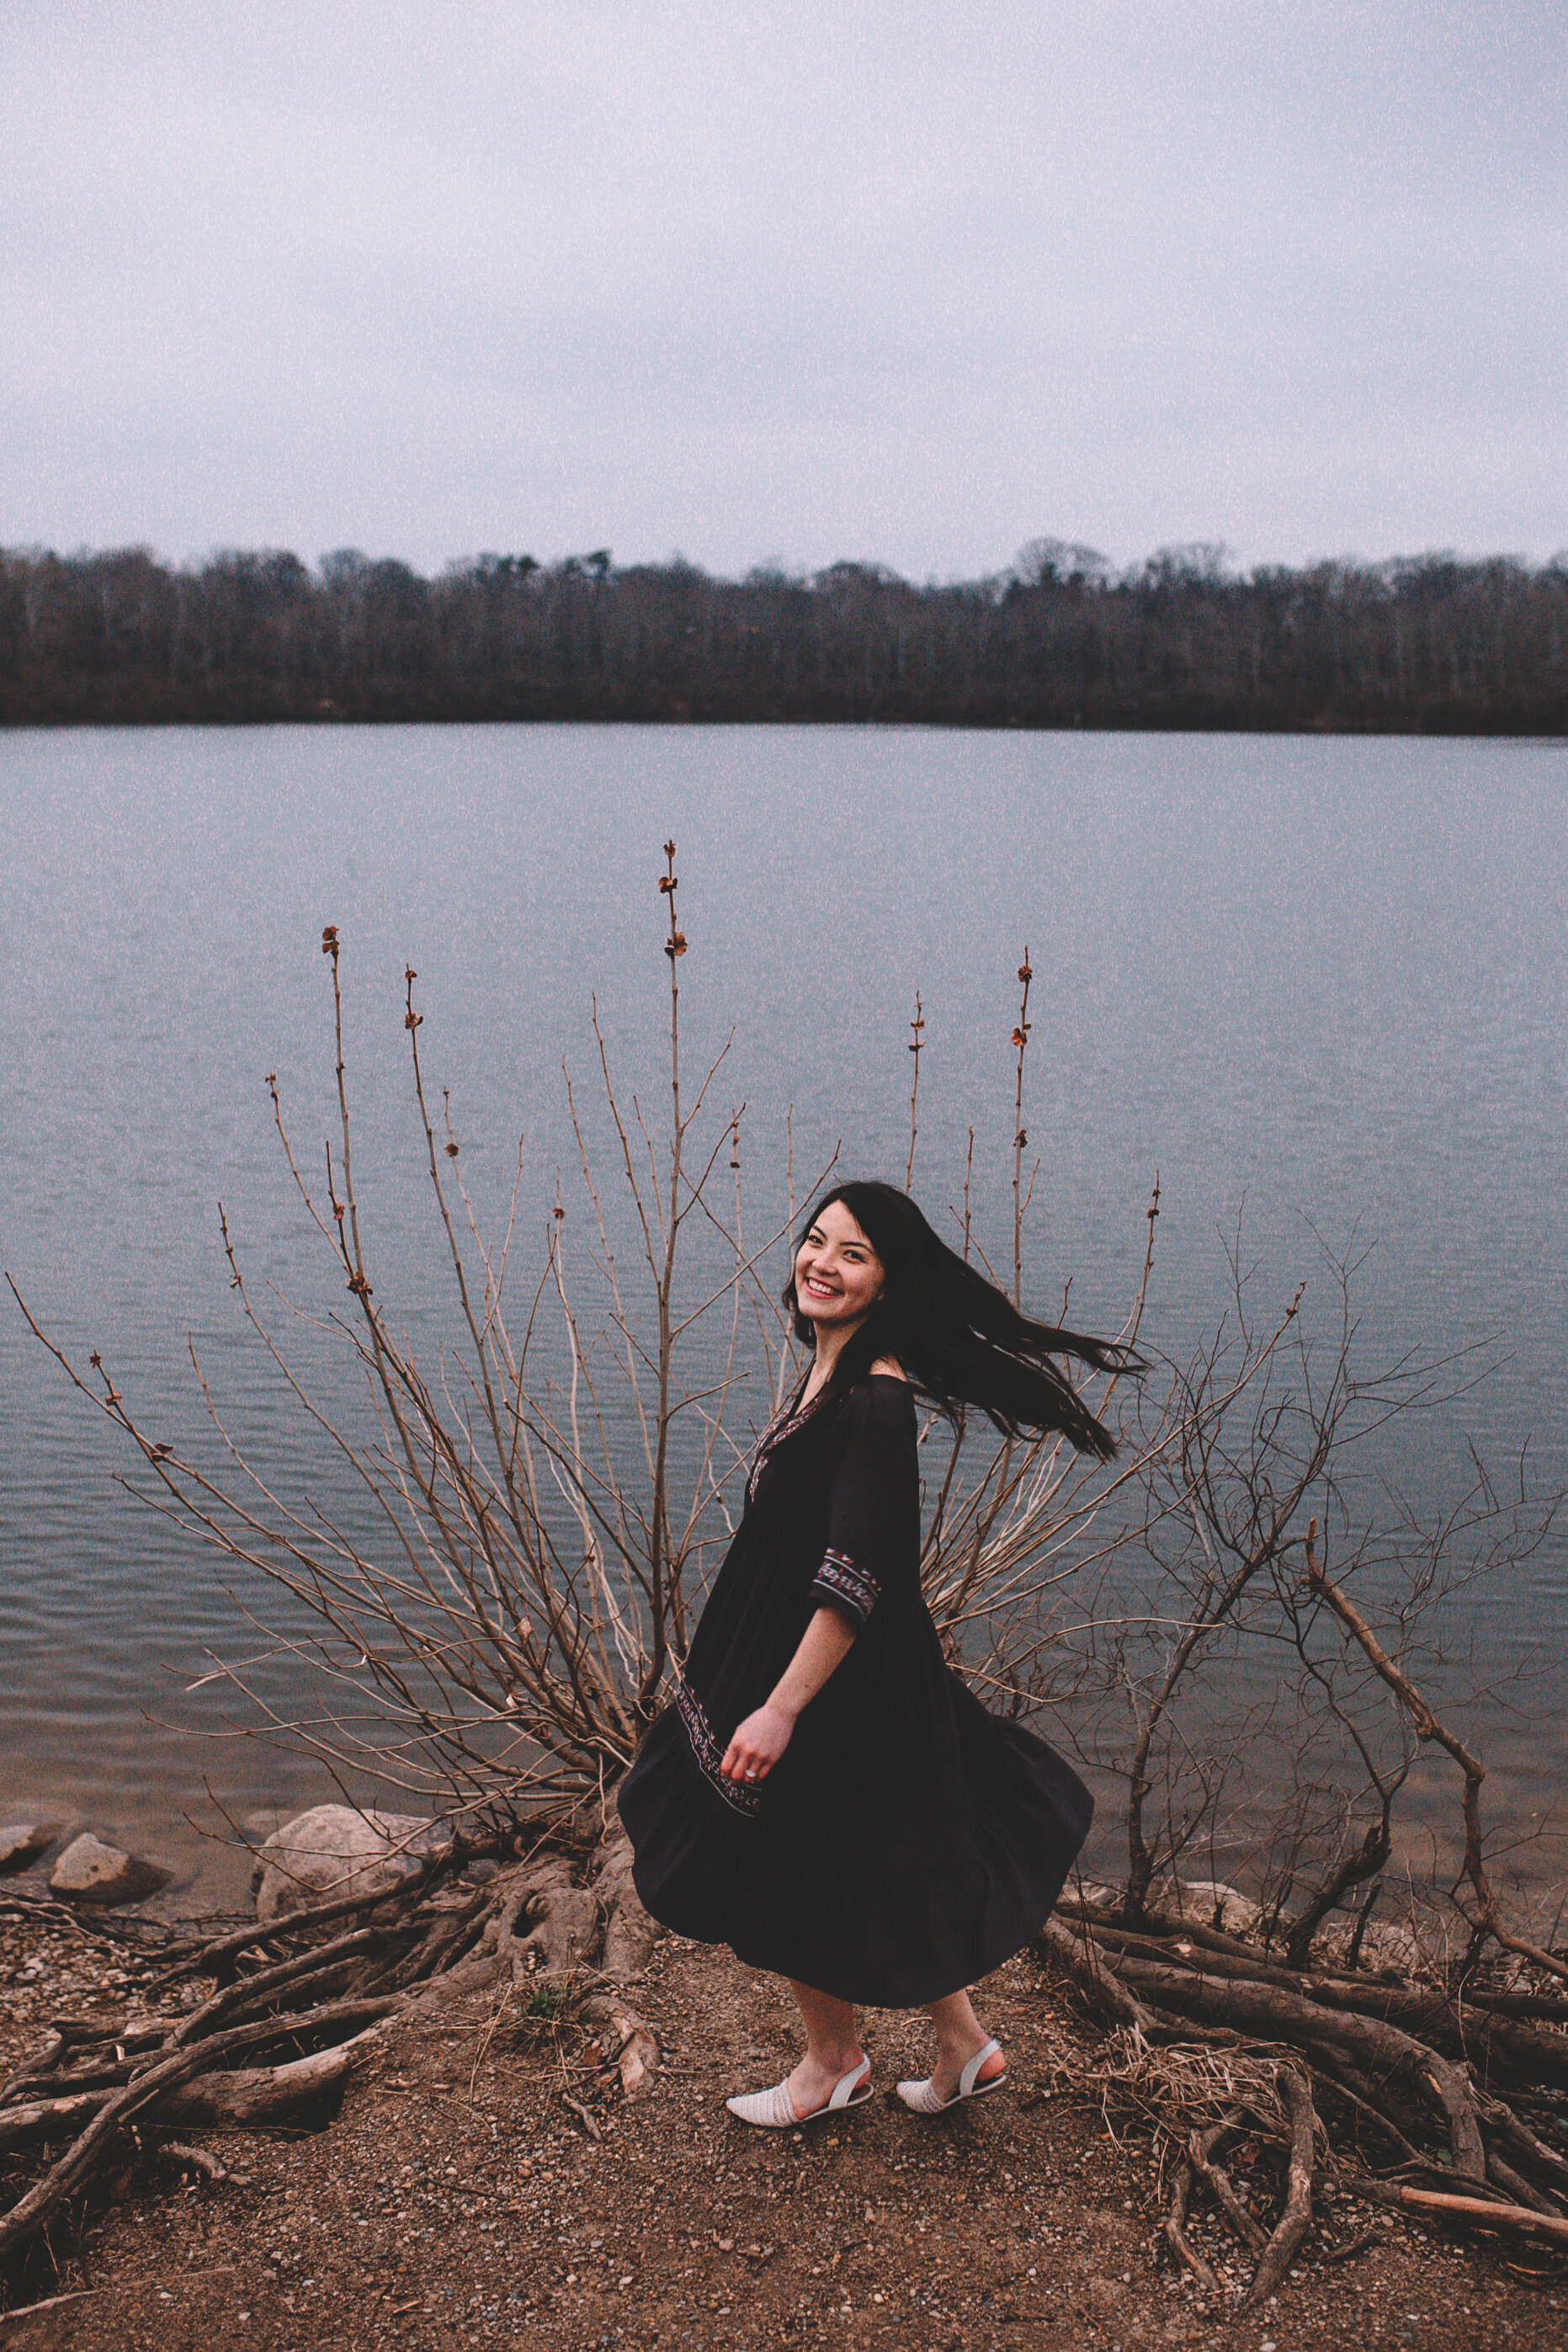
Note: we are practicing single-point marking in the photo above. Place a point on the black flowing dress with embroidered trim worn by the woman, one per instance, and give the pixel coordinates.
(906, 1843)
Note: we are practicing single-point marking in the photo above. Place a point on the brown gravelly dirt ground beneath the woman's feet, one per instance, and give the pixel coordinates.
(457, 2200)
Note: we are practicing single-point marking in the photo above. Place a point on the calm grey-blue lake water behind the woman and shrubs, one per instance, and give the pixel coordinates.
(1313, 982)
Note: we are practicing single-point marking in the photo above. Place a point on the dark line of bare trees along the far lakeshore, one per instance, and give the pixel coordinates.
(1419, 646)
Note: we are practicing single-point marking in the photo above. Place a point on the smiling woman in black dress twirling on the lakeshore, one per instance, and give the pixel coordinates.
(826, 1796)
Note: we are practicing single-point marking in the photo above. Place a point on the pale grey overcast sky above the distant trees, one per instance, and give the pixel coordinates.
(890, 279)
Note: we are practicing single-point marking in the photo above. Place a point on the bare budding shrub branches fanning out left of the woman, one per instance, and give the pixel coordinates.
(492, 1605)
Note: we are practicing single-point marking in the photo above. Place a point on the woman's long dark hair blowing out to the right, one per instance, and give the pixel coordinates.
(956, 1335)
